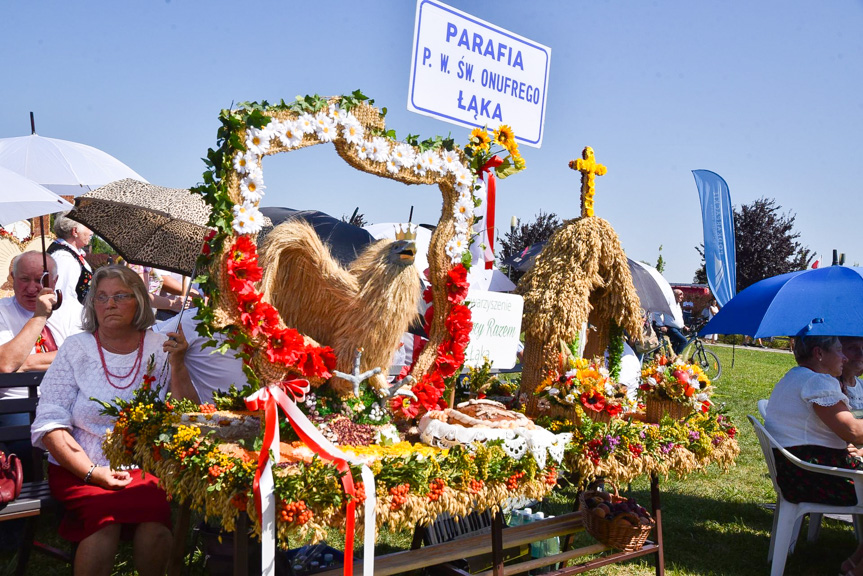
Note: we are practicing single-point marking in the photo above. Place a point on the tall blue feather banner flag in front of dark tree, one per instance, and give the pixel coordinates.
(718, 219)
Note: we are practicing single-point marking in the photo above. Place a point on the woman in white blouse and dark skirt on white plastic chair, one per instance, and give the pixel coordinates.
(809, 415)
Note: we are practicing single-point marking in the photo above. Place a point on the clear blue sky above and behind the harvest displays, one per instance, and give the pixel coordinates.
(768, 94)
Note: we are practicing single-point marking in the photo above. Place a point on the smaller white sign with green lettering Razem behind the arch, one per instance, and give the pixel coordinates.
(496, 327)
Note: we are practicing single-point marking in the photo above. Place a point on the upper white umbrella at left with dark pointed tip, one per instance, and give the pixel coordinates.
(65, 168)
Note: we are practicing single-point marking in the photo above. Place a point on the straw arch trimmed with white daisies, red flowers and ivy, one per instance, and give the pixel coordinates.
(233, 187)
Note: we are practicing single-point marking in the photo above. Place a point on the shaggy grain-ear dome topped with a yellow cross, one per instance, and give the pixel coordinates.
(580, 276)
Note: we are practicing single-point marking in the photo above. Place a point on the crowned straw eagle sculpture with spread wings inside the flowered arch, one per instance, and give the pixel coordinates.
(367, 305)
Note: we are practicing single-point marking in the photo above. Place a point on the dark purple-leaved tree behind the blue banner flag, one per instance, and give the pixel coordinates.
(766, 244)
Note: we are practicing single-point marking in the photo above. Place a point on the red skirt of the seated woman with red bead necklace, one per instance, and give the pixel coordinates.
(90, 508)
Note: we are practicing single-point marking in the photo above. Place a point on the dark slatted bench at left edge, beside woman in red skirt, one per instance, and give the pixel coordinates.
(35, 497)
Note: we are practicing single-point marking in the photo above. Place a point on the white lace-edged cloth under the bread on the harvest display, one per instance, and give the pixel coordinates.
(516, 441)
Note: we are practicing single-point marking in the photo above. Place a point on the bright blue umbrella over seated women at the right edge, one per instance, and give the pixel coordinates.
(818, 302)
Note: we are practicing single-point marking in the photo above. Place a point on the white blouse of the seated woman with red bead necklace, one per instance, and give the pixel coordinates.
(75, 376)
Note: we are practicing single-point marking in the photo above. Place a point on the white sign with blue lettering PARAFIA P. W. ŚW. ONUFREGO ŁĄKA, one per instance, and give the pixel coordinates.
(469, 72)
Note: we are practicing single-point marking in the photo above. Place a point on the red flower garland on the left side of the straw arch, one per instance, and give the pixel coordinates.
(283, 345)
